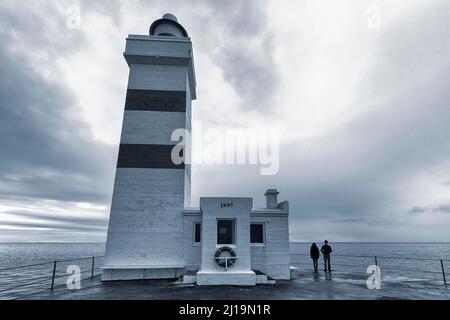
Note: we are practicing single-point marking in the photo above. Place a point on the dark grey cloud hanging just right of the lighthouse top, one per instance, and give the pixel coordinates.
(240, 43)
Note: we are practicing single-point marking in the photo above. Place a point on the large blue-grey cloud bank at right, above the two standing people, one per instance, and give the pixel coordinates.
(357, 172)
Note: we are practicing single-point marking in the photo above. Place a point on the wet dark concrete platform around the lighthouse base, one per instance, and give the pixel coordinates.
(304, 286)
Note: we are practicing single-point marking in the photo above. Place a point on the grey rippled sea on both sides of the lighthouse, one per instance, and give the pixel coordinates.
(421, 265)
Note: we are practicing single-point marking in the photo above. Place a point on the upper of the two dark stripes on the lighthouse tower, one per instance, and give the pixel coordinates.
(154, 100)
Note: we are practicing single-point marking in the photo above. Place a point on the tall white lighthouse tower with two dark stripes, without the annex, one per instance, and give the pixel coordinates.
(145, 234)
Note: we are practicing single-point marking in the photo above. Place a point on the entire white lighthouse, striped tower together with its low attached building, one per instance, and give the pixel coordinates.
(153, 233)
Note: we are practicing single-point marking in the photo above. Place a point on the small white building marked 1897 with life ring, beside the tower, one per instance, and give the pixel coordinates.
(258, 237)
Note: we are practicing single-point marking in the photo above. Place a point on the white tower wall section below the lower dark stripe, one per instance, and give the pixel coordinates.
(146, 222)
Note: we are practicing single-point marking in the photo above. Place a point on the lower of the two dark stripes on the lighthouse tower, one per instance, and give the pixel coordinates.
(146, 156)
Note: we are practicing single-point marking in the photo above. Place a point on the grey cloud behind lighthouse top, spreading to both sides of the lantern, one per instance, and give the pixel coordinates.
(237, 39)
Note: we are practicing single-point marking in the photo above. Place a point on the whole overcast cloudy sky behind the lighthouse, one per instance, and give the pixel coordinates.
(362, 105)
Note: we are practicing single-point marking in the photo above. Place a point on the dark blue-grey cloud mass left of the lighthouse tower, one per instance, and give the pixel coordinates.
(48, 152)
